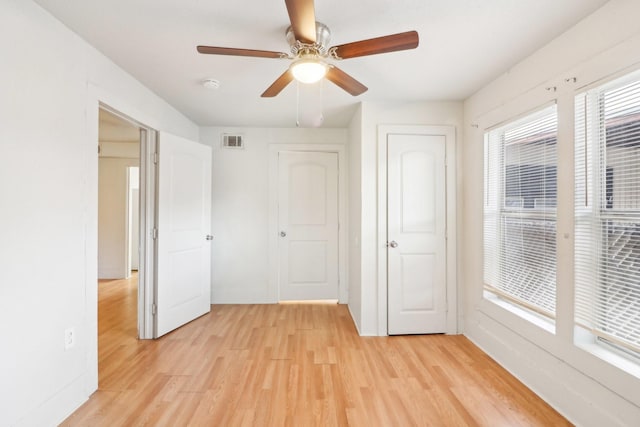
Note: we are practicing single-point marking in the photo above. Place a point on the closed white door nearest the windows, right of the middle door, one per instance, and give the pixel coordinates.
(416, 216)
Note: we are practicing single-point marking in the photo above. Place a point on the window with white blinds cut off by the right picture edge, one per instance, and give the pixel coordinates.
(607, 212)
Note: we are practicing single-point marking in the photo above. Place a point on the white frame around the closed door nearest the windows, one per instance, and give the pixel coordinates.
(449, 133)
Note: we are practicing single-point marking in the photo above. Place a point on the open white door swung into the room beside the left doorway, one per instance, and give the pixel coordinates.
(183, 289)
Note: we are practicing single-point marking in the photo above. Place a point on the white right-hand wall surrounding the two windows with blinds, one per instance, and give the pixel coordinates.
(587, 390)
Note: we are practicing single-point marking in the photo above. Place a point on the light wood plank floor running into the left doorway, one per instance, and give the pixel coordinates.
(294, 365)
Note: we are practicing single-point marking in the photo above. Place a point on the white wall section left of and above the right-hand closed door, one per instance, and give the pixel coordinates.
(372, 115)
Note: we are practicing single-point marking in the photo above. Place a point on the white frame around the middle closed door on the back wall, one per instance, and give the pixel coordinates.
(274, 150)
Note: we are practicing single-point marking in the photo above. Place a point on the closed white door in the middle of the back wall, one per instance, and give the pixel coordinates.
(308, 223)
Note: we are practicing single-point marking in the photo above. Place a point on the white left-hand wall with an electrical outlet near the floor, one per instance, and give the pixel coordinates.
(50, 85)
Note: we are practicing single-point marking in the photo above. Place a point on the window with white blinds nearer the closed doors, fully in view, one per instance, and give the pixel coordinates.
(520, 211)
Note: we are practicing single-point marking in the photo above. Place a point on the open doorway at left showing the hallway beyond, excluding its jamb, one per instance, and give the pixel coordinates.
(118, 212)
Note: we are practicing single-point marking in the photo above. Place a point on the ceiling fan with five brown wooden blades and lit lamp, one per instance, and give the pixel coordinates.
(309, 43)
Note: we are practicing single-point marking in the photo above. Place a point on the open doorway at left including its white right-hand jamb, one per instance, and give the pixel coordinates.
(126, 206)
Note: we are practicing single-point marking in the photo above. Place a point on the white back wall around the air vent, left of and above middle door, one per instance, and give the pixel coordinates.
(240, 212)
